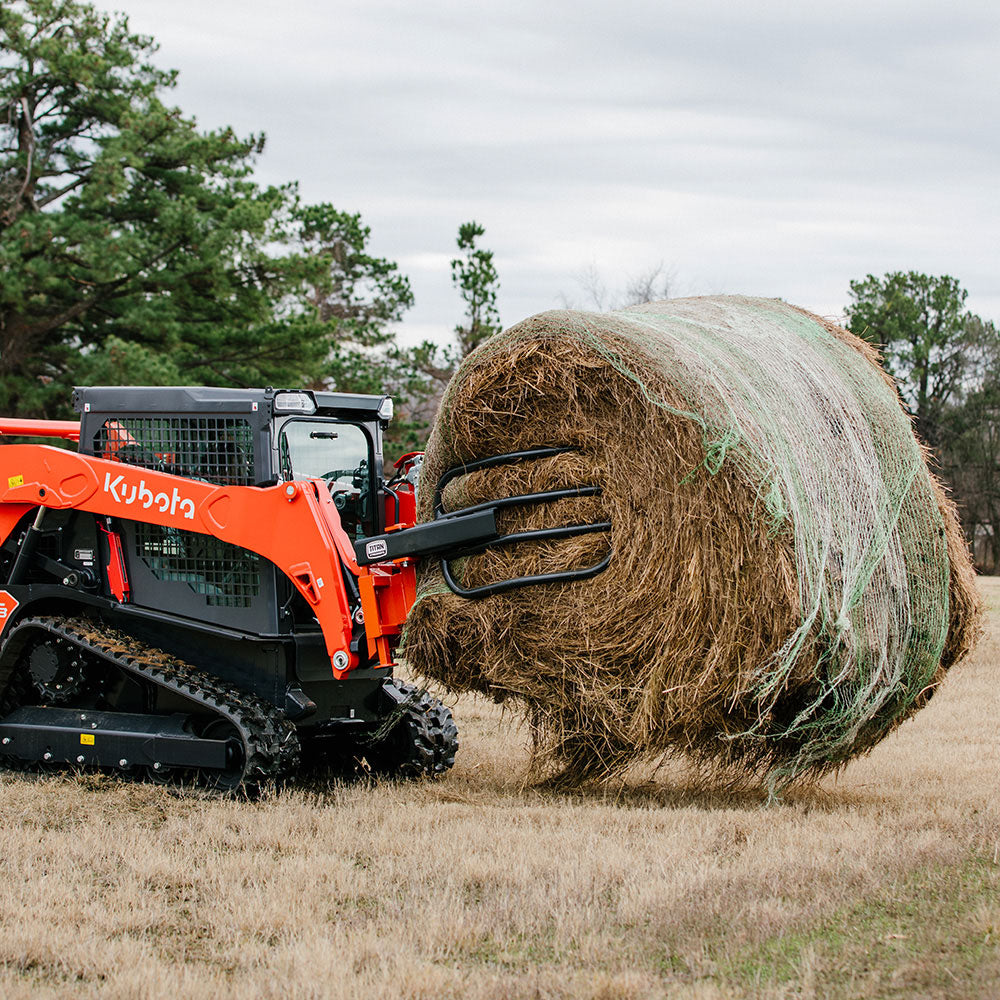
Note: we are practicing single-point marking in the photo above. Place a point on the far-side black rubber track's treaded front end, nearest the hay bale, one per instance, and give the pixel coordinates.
(423, 742)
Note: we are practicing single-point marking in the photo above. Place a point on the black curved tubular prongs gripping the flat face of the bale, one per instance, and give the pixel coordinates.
(567, 531)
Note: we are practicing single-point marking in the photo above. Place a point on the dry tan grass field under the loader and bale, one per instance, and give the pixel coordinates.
(881, 882)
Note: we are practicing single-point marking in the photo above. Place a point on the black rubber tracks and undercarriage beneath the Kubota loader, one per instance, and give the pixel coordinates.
(77, 692)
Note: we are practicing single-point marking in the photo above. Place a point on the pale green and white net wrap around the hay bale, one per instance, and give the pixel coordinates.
(804, 416)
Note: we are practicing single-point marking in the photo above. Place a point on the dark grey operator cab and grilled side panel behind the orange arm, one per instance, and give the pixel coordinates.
(234, 437)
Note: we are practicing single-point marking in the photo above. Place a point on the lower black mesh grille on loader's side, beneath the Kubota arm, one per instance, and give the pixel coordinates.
(228, 576)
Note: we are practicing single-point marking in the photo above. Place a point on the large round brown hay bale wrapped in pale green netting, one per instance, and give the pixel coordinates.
(788, 582)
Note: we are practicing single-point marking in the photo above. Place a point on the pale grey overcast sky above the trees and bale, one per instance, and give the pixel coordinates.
(765, 148)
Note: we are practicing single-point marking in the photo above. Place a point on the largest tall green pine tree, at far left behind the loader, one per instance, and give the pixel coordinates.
(120, 219)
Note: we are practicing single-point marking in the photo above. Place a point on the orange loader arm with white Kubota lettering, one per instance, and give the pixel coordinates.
(295, 525)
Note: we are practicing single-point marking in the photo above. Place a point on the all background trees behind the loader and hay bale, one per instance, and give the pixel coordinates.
(136, 248)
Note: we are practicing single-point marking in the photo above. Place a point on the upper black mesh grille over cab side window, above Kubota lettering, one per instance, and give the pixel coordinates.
(214, 449)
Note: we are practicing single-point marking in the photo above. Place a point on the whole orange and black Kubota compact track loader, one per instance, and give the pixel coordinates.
(213, 586)
